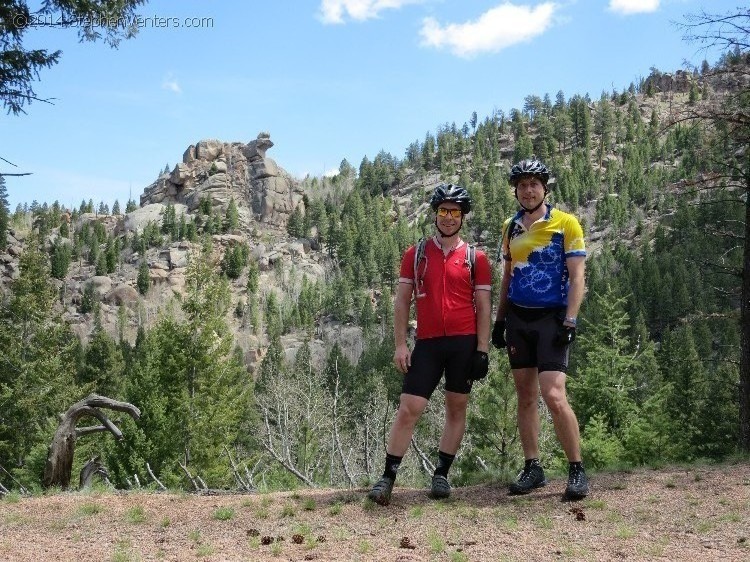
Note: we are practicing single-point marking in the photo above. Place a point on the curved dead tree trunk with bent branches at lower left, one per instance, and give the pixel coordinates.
(57, 469)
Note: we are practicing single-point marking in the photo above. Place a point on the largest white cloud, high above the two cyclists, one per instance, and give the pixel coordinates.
(496, 29)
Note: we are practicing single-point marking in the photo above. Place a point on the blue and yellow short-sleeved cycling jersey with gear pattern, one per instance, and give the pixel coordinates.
(536, 257)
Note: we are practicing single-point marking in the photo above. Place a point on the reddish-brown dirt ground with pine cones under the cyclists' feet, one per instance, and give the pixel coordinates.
(695, 514)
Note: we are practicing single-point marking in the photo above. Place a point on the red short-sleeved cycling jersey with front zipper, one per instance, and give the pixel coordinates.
(445, 295)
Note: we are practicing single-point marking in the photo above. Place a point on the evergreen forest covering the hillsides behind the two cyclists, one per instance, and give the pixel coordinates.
(658, 174)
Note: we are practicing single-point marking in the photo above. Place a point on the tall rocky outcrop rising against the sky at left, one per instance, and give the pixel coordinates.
(263, 191)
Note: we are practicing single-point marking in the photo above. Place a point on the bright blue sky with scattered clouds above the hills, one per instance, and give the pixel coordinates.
(328, 79)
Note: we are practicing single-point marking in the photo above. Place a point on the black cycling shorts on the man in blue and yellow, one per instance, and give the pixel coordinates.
(530, 334)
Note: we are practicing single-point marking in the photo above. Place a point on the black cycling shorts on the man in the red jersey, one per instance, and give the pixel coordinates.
(432, 357)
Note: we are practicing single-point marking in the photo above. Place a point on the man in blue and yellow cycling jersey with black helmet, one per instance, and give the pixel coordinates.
(544, 256)
